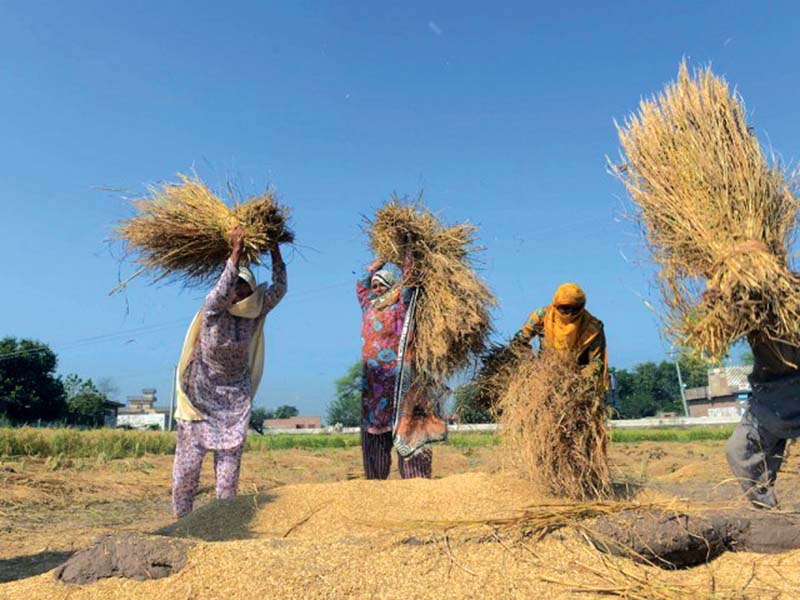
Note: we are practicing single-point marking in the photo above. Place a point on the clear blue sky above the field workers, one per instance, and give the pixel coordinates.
(502, 113)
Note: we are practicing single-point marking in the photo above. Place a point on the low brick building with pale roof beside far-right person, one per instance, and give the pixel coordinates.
(726, 395)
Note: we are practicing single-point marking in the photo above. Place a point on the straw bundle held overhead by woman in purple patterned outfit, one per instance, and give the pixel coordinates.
(183, 230)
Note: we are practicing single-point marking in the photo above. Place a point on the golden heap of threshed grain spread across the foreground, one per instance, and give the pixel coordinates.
(296, 546)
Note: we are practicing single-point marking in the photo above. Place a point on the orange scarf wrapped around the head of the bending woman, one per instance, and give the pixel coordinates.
(568, 332)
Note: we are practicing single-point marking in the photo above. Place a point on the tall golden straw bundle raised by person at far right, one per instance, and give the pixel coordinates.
(715, 215)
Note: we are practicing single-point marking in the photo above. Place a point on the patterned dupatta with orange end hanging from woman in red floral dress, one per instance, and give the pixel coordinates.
(417, 398)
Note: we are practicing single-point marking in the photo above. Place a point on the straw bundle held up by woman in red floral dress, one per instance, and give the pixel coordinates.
(452, 314)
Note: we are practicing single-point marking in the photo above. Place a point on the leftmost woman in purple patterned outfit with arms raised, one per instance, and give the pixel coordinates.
(219, 373)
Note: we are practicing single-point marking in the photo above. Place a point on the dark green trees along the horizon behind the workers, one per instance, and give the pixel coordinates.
(32, 393)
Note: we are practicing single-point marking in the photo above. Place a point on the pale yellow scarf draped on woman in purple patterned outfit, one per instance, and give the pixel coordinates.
(249, 308)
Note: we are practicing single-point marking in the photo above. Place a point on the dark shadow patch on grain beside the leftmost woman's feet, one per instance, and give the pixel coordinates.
(220, 520)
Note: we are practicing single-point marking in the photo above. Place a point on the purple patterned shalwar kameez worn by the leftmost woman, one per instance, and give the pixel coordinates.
(217, 382)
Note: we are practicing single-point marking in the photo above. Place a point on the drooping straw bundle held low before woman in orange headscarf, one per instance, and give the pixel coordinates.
(552, 420)
